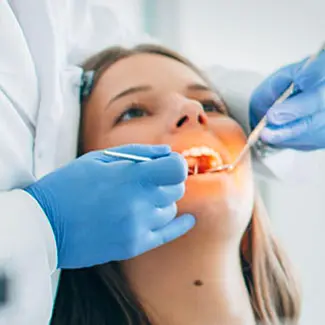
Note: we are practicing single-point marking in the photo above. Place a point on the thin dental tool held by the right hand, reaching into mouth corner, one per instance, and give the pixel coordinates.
(253, 137)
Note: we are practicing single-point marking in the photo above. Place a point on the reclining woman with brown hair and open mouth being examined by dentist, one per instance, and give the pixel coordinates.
(228, 269)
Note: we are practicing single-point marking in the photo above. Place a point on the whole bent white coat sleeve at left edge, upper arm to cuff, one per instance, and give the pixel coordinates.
(27, 245)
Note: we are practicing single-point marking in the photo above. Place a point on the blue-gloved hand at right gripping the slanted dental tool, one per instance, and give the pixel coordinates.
(299, 122)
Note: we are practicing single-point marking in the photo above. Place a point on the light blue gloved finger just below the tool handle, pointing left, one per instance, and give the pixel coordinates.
(297, 107)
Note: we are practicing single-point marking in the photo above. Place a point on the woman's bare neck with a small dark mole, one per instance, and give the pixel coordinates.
(192, 281)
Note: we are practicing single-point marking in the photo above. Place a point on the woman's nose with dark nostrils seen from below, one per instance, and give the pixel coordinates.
(191, 114)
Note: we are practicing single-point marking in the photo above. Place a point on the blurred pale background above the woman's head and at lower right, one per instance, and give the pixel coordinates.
(257, 35)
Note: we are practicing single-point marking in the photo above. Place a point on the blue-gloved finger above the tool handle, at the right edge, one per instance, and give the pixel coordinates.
(312, 75)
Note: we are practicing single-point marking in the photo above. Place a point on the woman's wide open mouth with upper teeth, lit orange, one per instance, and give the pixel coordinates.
(200, 159)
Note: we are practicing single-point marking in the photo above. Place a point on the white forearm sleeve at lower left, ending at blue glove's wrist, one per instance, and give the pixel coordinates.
(27, 256)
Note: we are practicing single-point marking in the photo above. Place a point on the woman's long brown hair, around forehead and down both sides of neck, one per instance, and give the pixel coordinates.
(101, 295)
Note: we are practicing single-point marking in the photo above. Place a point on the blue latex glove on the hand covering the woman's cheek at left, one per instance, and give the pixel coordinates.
(103, 209)
